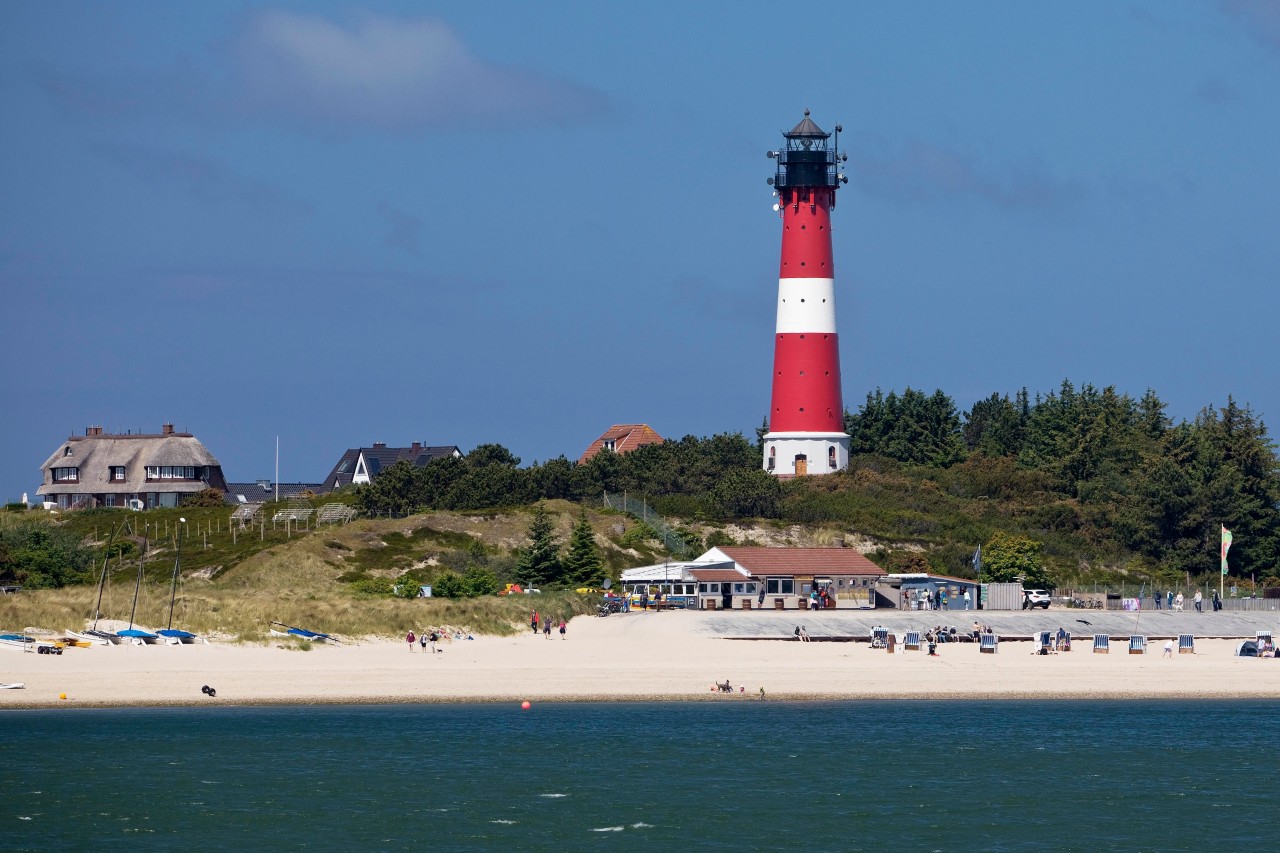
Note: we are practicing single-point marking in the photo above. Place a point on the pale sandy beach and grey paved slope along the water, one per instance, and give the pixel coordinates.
(671, 656)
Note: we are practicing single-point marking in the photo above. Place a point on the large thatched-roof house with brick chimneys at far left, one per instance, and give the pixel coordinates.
(129, 471)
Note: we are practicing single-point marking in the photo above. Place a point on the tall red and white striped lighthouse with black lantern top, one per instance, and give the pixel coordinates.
(807, 416)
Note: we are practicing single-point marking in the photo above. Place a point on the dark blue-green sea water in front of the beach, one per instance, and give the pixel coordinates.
(737, 776)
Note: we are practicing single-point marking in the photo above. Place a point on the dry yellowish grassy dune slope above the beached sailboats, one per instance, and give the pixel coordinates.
(240, 587)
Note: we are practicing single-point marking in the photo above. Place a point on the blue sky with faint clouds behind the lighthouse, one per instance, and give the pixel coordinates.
(340, 223)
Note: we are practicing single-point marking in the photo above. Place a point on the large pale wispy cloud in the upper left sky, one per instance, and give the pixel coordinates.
(392, 75)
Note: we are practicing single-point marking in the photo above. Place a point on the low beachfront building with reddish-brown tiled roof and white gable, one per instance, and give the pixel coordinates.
(785, 577)
